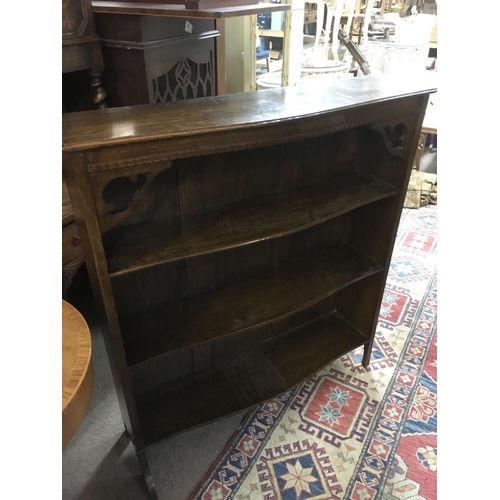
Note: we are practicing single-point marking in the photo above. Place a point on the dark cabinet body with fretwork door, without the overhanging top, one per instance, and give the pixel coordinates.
(153, 59)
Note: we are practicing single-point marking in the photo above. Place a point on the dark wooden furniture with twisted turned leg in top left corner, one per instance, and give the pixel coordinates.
(81, 47)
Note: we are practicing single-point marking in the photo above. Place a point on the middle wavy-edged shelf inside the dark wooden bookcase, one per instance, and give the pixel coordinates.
(262, 299)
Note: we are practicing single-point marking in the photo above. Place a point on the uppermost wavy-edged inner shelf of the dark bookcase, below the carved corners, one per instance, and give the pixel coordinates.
(240, 223)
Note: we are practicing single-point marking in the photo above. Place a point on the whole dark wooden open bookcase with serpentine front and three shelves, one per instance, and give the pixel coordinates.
(238, 244)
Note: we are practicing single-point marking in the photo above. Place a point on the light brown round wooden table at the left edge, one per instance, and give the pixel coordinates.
(77, 370)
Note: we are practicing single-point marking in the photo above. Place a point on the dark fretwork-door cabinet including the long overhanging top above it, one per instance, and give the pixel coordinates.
(160, 52)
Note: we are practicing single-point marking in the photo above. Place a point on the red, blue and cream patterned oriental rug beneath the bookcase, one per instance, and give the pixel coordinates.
(349, 432)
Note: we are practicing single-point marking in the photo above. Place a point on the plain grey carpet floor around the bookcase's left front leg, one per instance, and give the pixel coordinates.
(99, 463)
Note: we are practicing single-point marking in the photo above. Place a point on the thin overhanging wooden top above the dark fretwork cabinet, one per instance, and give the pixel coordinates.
(170, 10)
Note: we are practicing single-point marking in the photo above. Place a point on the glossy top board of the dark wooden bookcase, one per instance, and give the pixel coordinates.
(248, 110)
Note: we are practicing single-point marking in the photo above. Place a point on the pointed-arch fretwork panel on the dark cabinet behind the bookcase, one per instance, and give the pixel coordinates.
(186, 80)
